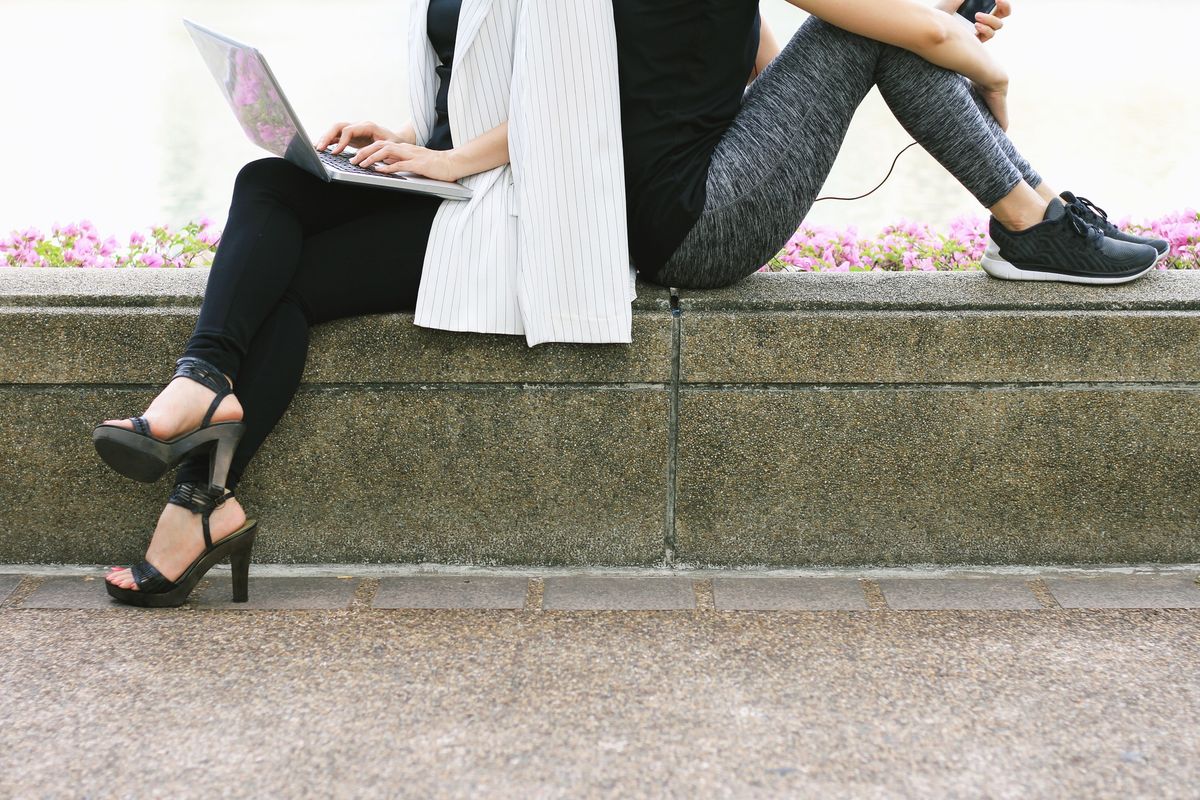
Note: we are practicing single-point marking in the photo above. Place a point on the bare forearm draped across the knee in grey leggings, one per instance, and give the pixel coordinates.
(929, 33)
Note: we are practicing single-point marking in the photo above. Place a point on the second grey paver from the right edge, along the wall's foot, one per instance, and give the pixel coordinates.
(959, 594)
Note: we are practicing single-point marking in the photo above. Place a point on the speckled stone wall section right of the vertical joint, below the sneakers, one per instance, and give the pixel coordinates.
(939, 419)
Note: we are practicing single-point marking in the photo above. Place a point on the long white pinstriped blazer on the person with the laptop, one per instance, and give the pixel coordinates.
(542, 248)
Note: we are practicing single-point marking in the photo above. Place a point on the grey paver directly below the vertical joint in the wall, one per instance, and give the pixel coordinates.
(619, 594)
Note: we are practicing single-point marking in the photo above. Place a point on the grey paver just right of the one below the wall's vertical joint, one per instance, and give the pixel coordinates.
(789, 594)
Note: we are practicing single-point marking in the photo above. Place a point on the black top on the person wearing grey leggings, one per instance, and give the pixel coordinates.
(683, 67)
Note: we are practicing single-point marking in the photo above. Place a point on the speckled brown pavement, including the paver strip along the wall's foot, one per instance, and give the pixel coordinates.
(1093, 689)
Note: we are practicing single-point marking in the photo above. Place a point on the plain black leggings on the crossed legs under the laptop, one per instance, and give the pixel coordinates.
(297, 252)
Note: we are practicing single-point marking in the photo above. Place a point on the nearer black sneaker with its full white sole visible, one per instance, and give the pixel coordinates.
(1065, 248)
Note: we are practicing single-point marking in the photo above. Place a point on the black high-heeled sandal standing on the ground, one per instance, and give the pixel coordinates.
(157, 592)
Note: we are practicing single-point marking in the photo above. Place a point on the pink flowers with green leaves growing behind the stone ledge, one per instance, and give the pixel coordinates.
(908, 246)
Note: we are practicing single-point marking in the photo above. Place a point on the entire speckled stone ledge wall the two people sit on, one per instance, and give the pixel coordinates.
(793, 422)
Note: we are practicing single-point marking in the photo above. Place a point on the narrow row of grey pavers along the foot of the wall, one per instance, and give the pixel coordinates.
(281, 588)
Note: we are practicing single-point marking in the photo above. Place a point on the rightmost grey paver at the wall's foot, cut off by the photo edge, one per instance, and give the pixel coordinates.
(1126, 591)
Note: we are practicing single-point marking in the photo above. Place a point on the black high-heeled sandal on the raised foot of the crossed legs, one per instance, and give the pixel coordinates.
(137, 455)
